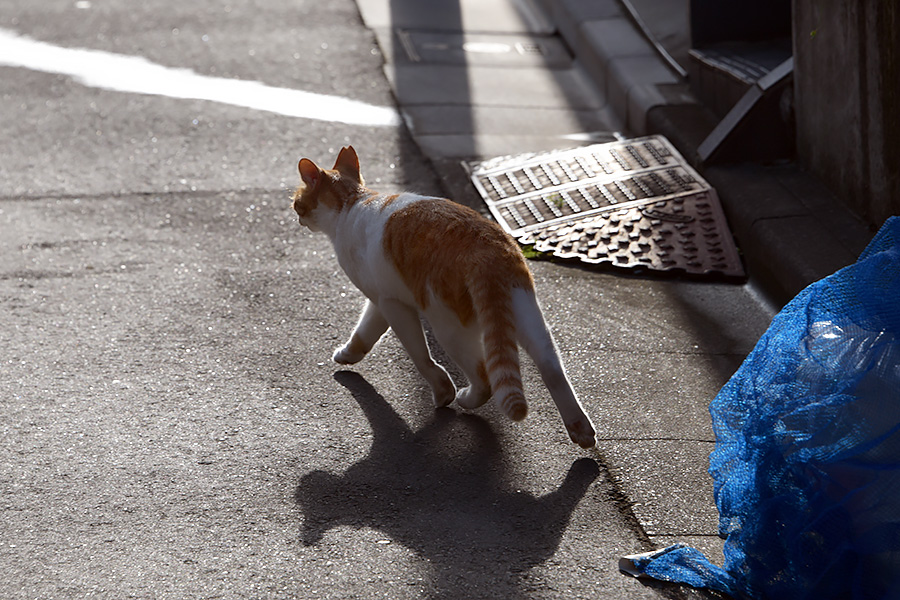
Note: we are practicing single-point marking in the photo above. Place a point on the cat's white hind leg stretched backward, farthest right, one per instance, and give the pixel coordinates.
(535, 338)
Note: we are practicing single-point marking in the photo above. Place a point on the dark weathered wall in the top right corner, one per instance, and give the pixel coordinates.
(847, 99)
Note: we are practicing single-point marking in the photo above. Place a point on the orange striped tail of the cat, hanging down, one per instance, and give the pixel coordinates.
(493, 306)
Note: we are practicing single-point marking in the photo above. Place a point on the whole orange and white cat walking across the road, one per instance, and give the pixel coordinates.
(412, 255)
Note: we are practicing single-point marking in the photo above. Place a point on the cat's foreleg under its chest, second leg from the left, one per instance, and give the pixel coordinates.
(404, 320)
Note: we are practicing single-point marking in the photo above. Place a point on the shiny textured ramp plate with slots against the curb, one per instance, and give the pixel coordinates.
(633, 204)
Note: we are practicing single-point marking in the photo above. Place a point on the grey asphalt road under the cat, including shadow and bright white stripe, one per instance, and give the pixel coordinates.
(171, 425)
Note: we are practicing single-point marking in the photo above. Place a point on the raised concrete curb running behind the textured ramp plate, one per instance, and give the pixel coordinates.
(791, 229)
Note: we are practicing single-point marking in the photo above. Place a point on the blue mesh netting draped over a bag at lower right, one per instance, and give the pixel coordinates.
(806, 467)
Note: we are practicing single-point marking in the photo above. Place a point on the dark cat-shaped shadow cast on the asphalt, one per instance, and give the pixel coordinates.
(442, 492)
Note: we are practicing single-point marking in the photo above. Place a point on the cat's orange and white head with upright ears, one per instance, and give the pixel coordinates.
(323, 193)
